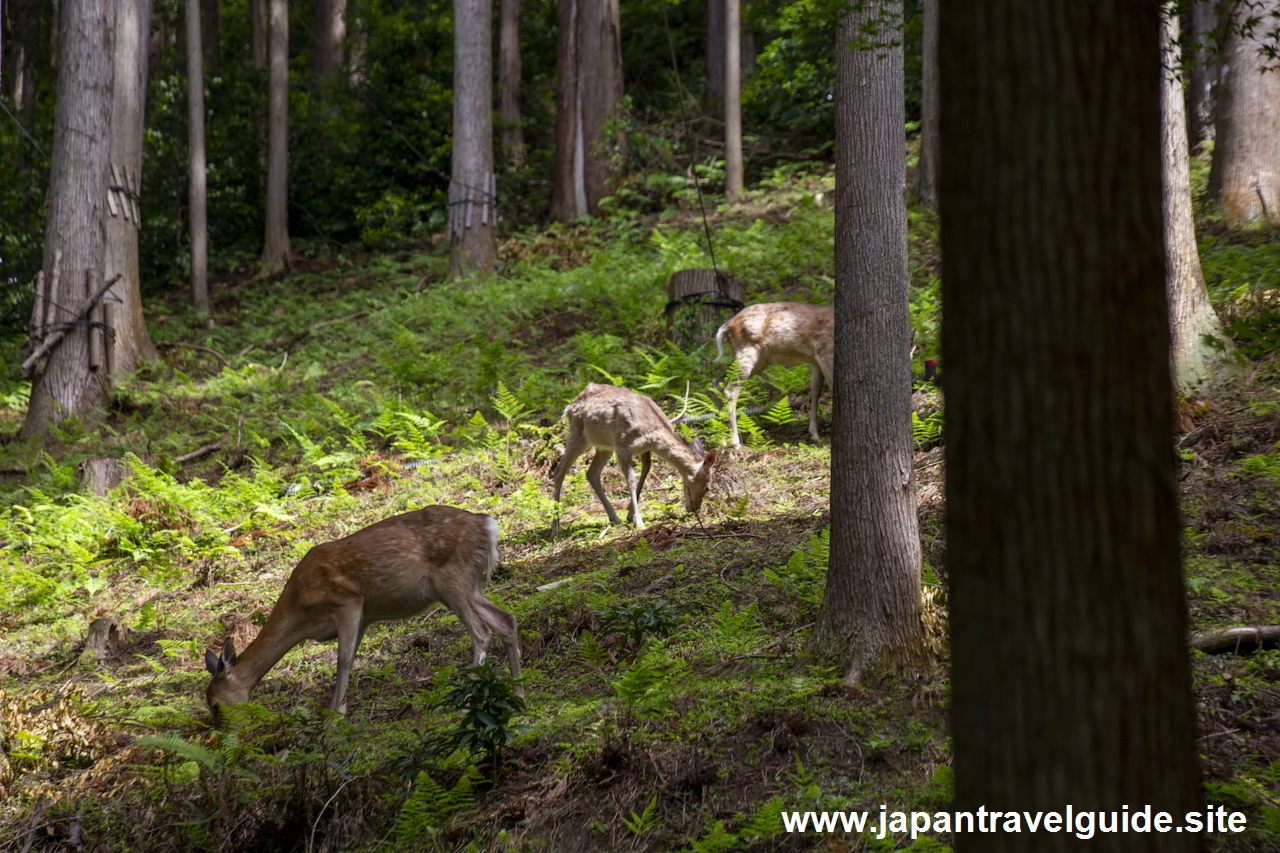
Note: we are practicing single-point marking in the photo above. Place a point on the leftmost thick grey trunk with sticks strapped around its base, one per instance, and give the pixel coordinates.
(77, 199)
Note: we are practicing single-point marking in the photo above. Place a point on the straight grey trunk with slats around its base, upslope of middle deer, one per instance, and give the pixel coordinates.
(472, 191)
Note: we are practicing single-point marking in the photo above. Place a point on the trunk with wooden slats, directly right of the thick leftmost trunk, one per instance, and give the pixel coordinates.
(124, 221)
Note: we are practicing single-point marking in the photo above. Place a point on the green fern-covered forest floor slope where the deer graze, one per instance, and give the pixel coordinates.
(363, 385)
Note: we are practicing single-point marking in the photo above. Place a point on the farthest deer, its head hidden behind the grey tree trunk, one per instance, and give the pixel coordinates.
(784, 334)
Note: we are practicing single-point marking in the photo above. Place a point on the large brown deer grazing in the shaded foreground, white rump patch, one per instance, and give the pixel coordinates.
(390, 571)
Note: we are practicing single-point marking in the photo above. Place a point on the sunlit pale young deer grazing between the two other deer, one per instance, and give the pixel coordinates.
(619, 421)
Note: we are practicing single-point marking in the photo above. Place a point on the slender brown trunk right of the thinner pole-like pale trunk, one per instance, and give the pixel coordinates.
(276, 247)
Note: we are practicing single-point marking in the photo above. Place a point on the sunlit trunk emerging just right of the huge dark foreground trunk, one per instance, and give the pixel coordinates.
(1191, 314)
